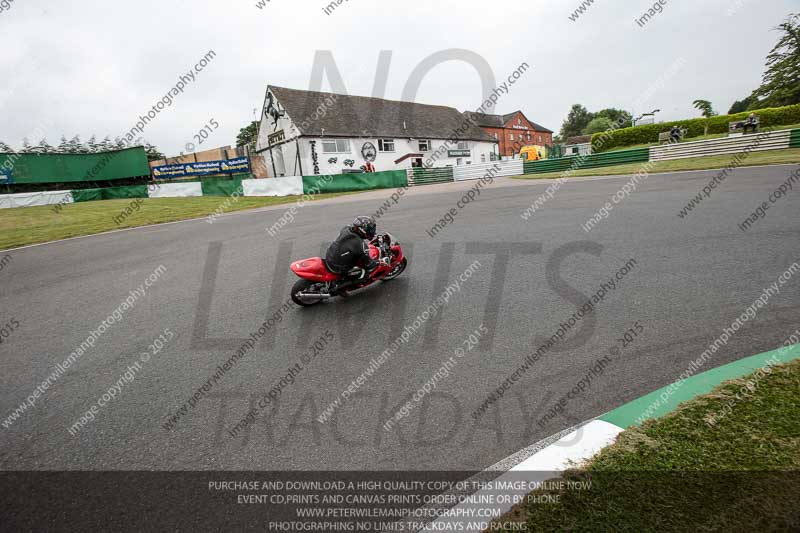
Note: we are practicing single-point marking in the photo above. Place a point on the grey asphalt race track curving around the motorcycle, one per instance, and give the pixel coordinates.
(692, 278)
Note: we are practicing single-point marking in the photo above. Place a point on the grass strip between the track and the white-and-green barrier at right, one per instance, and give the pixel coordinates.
(772, 157)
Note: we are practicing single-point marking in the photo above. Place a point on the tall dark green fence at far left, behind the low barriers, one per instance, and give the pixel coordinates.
(65, 168)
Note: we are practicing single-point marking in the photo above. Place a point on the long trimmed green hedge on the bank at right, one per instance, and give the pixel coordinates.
(774, 116)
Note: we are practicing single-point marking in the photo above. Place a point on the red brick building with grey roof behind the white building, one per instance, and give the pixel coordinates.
(512, 131)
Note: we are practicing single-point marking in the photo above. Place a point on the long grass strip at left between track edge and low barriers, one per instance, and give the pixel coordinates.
(32, 225)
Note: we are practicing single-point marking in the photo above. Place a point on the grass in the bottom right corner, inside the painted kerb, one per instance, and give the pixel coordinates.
(684, 473)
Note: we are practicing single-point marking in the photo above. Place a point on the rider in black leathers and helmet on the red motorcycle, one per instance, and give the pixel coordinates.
(351, 250)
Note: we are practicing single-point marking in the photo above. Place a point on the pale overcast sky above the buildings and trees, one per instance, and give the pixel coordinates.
(95, 66)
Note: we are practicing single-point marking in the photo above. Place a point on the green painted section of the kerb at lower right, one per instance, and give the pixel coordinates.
(661, 402)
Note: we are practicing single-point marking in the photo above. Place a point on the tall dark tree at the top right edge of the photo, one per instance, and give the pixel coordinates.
(780, 85)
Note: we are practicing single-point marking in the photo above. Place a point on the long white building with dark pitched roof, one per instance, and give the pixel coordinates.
(308, 133)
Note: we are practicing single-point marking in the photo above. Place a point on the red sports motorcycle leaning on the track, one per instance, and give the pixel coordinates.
(317, 282)
